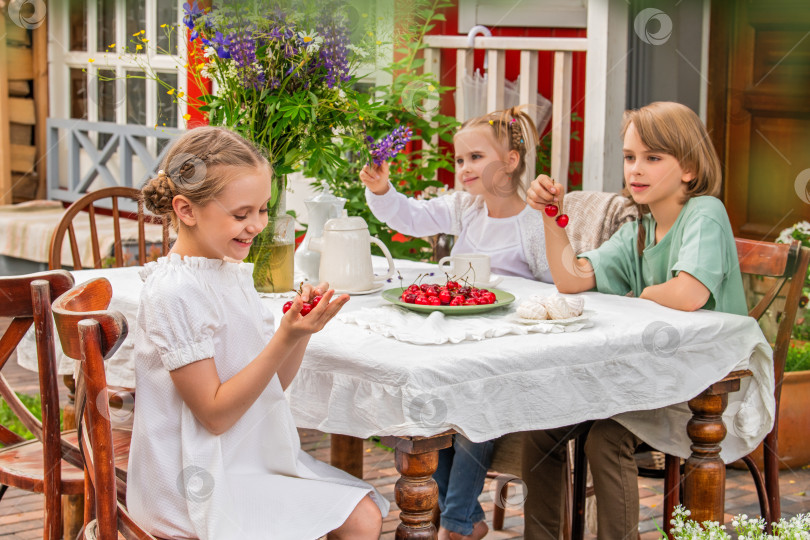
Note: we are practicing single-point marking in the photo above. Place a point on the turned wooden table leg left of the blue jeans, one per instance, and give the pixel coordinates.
(416, 492)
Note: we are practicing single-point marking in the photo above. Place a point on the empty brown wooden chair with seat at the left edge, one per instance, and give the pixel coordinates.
(43, 465)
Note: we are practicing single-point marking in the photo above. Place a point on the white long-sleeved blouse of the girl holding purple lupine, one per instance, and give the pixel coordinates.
(516, 245)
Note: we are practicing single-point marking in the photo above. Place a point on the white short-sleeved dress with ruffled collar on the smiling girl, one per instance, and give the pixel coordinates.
(253, 481)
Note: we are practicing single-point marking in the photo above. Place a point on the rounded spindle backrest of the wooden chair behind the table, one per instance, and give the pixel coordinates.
(87, 203)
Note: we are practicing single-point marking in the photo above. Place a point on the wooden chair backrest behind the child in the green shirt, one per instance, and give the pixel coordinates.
(788, 264)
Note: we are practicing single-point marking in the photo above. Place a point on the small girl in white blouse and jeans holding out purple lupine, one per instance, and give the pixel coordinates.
(490, 216)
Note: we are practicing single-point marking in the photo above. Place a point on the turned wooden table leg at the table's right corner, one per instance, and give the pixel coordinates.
(705, 472)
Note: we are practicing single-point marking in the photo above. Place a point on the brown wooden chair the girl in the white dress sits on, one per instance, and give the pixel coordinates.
(90, 333)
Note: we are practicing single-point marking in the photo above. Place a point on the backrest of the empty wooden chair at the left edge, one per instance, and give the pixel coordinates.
(27, 300)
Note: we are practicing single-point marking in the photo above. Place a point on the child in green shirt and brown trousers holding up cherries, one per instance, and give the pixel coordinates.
(680, 253)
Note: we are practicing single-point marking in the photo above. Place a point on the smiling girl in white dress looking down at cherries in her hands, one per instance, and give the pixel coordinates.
(215, 453)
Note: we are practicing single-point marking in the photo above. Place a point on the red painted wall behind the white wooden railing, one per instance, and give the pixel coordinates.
(545, 76)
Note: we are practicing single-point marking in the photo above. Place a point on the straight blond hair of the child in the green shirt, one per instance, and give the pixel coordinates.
(674, 129)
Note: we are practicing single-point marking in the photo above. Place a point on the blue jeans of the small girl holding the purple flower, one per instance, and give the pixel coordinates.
(460, 475)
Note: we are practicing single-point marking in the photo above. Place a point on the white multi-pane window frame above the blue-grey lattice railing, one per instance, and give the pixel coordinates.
(61, 60)
